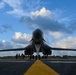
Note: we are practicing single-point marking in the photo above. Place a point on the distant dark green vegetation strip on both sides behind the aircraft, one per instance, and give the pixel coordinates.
(49, 57)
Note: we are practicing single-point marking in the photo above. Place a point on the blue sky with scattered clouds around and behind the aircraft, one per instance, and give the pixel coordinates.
(56, 18)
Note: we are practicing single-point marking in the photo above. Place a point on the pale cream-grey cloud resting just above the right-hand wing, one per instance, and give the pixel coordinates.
(68, 42)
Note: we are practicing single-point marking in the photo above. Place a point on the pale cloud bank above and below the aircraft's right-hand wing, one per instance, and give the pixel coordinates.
(68, 42)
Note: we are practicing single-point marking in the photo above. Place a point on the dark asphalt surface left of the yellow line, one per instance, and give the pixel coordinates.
(14, 67)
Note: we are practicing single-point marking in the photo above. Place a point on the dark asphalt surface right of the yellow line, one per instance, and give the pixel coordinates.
(63, 67)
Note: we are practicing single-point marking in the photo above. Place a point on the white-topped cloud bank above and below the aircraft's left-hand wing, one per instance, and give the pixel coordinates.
(19, 40)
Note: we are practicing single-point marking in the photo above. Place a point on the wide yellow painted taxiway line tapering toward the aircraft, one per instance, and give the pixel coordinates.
(39, 68)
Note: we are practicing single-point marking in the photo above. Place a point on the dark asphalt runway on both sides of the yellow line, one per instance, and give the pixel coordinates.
(19, 67)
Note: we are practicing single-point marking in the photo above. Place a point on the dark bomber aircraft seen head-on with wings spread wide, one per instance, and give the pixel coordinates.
(37, 44)
